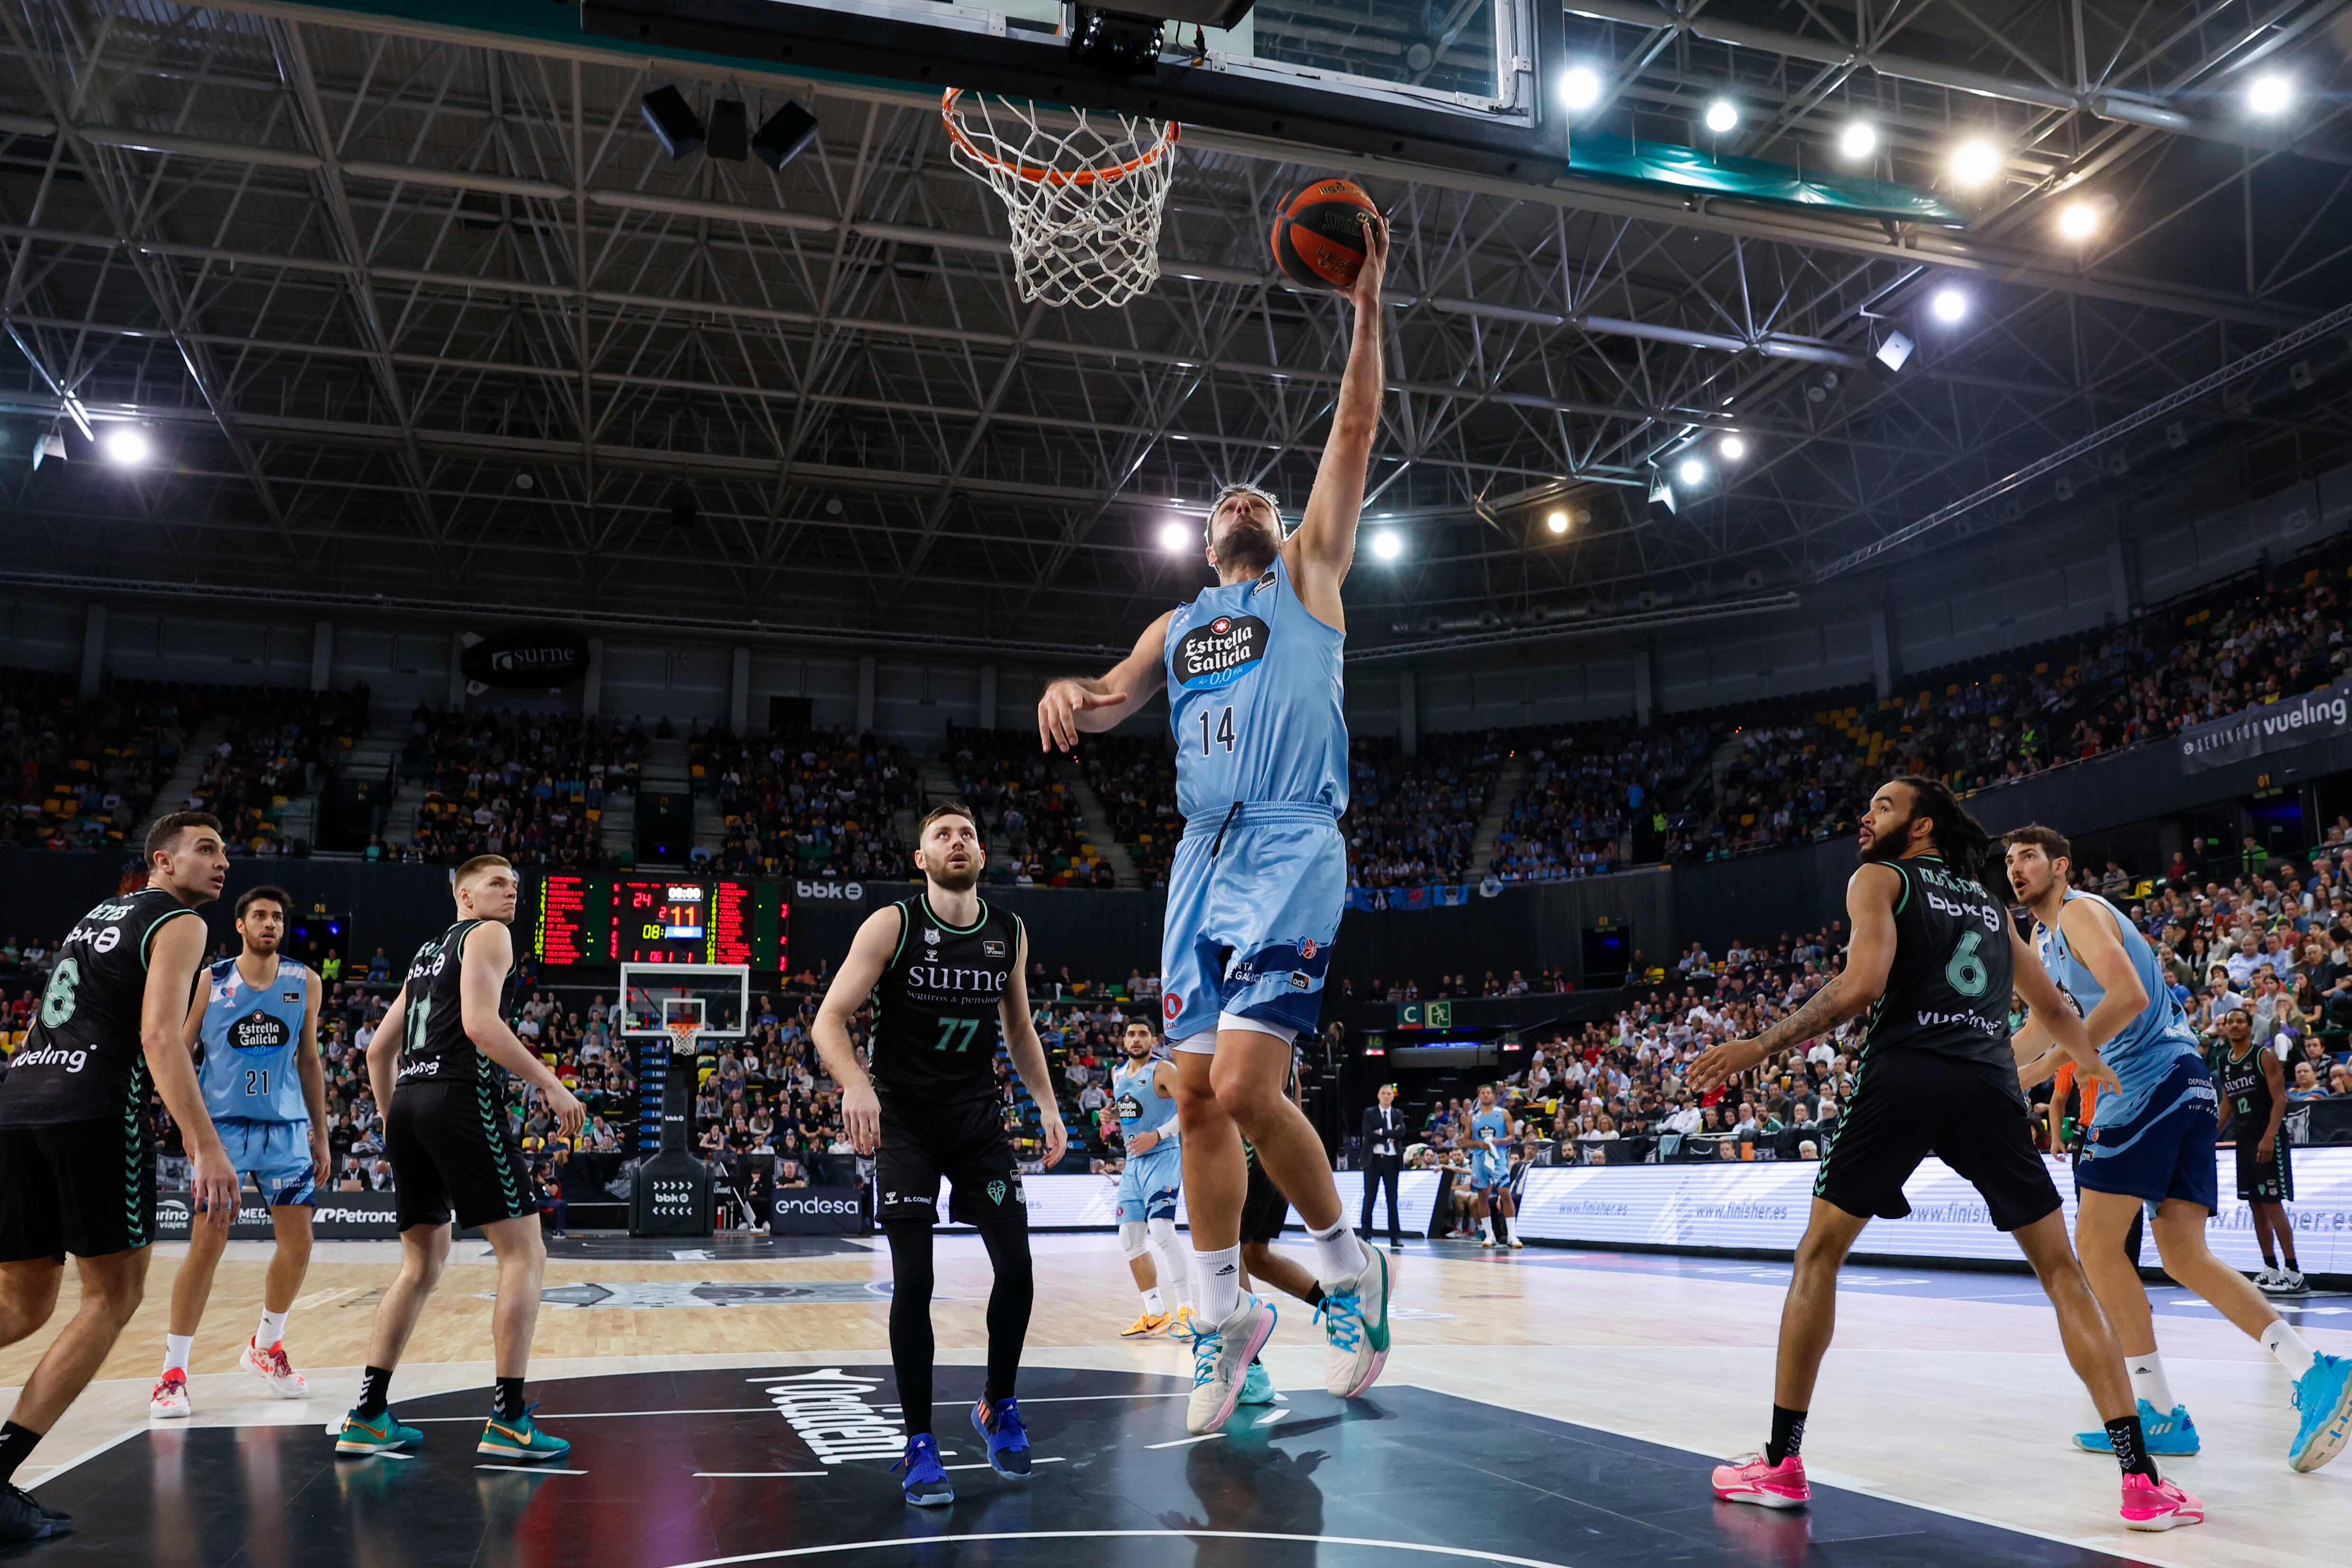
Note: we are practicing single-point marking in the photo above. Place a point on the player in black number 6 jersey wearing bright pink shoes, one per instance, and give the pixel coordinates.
(1935, 960)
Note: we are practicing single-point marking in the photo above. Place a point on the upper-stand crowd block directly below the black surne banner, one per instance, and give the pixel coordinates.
(528, 786)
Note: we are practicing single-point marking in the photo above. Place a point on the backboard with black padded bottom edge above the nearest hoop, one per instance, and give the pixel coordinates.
(1452, 83)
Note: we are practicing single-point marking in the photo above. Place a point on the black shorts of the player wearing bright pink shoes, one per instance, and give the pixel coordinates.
(1916, 1104)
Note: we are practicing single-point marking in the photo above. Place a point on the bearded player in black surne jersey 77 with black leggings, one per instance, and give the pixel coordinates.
(944, 974)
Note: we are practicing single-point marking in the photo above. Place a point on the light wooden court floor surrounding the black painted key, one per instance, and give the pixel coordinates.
(1944, 1391)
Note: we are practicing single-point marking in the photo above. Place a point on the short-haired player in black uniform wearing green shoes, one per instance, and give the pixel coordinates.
(446, 1130)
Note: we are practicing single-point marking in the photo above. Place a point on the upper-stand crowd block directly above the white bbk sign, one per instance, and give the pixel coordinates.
(810, 805)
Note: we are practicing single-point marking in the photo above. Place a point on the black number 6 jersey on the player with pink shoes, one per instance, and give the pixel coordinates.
(1949, 989)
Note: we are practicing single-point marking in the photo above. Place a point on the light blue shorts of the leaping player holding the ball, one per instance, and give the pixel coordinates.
(1250, 927)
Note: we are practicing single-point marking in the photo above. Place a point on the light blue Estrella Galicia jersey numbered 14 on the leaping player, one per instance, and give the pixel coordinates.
(1255, 699)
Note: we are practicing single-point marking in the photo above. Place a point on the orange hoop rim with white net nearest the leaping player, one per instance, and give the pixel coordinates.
(1085, 201)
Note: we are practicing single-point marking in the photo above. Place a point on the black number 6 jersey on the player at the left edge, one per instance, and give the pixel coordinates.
(81, 1059)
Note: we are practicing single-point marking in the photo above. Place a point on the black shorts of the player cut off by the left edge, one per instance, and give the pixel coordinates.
(83, 1188)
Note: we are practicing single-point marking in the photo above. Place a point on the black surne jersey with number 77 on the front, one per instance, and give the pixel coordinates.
(937, 1026)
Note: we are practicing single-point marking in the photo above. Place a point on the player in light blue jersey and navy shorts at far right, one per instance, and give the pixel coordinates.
(2153, 1144)
